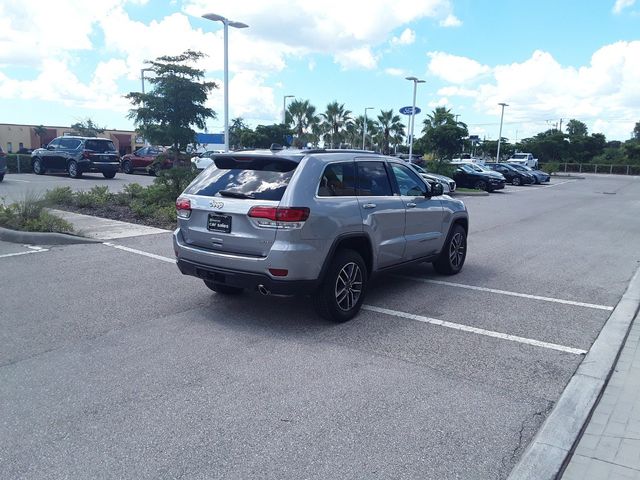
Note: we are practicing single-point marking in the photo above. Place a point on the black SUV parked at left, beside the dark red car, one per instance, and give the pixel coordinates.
(77, 155)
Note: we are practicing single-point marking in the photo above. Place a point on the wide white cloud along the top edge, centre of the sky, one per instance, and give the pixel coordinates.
(332, 27)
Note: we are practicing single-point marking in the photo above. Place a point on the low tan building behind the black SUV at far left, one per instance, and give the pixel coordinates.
(14, 137)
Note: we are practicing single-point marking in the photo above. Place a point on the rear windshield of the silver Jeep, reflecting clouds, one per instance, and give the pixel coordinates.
(245, 177)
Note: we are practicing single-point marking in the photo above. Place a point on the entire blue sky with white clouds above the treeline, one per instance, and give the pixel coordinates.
(64, 61)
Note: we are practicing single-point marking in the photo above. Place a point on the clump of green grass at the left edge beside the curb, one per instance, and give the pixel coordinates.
(29, 215)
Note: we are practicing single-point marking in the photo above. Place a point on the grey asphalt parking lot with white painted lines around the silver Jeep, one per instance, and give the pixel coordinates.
(113, 365)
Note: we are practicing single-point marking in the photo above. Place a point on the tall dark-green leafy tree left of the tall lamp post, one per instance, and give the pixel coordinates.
(166, 115)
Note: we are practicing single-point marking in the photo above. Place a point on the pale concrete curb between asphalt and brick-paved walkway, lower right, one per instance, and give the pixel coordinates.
(546, 455)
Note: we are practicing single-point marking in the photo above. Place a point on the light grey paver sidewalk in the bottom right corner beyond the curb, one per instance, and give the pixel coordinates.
(610, 446)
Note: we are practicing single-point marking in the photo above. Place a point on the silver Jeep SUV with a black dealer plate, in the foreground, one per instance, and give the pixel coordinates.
(313, 222)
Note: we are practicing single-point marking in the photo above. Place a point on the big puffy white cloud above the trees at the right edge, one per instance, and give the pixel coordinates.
(541, 88)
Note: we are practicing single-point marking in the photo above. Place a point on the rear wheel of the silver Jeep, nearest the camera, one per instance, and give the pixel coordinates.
(342, 291)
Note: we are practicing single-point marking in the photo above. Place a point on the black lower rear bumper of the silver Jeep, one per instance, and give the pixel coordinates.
(247, 280)
